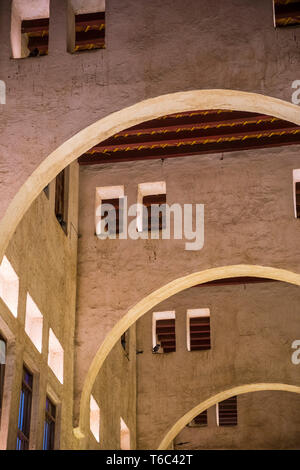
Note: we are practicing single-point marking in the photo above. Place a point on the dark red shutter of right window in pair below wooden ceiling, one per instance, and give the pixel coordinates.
(154, 212)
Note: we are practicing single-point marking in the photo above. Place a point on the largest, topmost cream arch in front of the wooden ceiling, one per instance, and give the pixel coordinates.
(127, 117)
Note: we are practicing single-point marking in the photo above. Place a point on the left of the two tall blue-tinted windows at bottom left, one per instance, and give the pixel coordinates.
(25, 411)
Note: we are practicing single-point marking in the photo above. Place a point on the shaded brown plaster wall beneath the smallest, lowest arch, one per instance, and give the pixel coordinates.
(266, 420)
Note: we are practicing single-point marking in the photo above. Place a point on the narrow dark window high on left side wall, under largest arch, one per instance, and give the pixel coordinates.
(61, 199)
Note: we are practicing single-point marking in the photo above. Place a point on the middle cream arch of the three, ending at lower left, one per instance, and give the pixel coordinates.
(155, 298)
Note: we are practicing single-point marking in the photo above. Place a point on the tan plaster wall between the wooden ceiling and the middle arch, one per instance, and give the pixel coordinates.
(249, 219)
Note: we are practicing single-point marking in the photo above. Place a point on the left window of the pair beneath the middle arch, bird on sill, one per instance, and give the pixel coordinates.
(163, 332)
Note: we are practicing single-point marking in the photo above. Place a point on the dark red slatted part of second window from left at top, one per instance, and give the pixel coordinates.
(90, 31)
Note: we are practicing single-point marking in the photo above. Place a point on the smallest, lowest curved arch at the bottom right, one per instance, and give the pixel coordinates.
(184, 420)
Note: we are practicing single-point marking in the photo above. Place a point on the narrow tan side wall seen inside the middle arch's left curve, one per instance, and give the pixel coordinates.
(115, 393)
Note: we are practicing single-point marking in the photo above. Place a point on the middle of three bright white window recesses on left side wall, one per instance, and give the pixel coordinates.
(34, 323)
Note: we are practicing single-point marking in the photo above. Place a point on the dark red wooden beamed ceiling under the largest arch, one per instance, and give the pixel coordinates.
(194, 133)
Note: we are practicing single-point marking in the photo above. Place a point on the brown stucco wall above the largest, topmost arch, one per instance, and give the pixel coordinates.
(62, 93)
